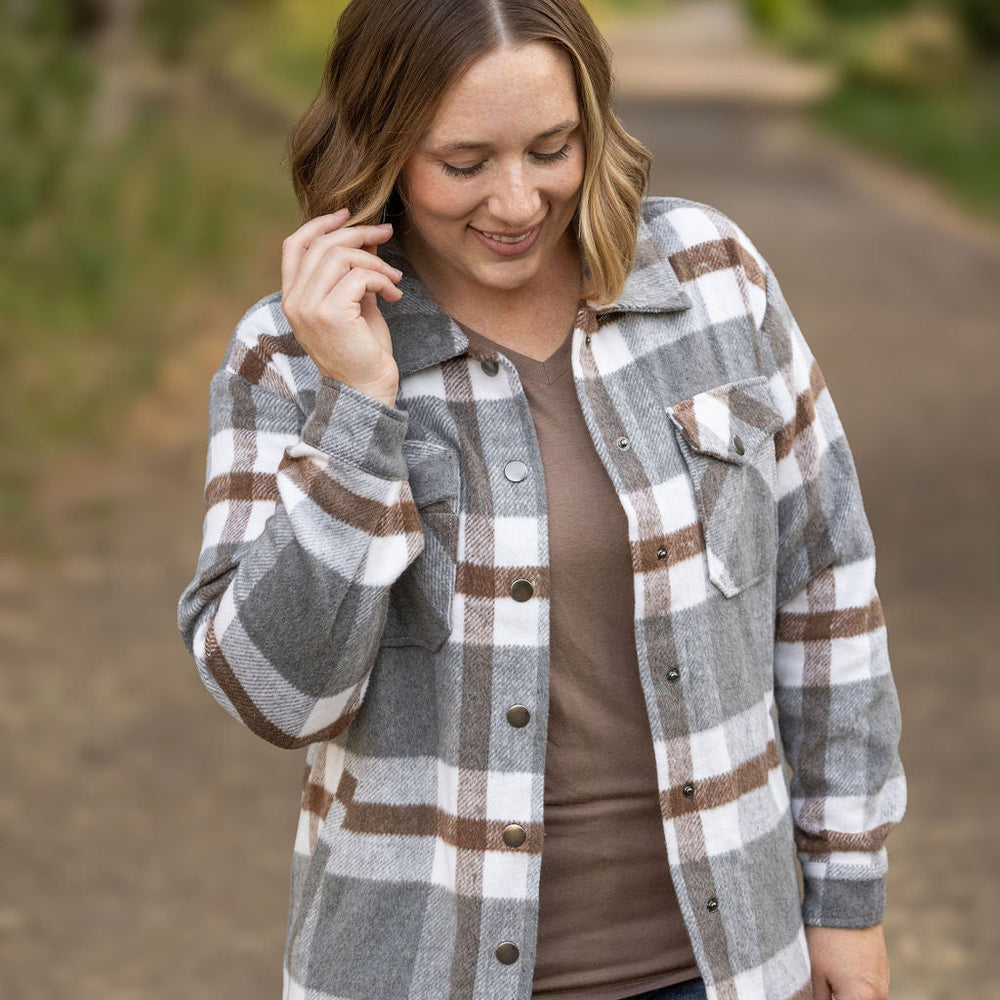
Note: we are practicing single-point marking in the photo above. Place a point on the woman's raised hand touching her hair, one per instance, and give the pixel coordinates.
(330, 277)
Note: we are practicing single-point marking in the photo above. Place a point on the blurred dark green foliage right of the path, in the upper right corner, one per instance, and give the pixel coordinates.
(919, 81)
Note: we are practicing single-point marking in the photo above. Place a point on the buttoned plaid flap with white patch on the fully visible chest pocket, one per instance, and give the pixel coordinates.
(729, 422)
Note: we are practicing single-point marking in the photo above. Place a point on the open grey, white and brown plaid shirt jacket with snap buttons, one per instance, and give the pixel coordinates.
(356, 594)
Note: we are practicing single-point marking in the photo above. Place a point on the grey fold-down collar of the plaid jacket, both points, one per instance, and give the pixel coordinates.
(424, 335)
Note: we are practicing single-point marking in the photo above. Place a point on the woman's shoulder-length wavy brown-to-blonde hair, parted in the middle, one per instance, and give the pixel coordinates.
(390, 64)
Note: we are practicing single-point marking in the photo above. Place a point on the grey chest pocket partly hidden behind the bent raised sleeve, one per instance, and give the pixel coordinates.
(420, 601)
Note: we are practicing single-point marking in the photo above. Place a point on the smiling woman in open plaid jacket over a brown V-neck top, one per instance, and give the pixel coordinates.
(531, 501)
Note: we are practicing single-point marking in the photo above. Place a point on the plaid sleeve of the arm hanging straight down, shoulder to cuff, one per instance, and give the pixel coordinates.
(837, 704)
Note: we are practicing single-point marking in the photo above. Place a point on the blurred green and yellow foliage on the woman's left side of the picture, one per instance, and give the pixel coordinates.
(141, 166)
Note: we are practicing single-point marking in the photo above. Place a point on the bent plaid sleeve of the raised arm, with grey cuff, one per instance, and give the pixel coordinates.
(309, 520)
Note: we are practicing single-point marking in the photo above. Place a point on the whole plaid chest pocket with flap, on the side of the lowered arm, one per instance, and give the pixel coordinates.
(726, 436)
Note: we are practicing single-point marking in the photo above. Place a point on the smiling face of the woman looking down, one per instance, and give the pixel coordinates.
(492, 188)
